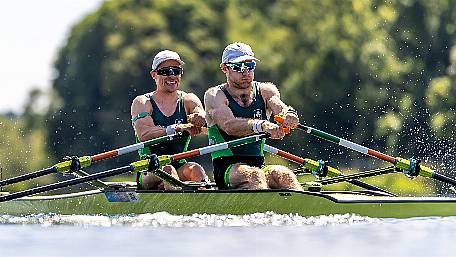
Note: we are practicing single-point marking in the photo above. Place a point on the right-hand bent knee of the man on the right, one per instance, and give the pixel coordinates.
(280, 177)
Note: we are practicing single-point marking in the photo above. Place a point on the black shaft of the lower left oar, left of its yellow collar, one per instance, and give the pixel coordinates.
(71, 182)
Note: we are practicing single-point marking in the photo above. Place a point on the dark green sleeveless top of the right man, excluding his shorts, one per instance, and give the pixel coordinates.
(256, 110)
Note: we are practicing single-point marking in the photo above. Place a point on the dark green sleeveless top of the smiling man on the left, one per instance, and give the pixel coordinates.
(178, 145)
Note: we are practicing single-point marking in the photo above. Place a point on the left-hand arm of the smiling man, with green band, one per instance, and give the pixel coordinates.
(145, 128)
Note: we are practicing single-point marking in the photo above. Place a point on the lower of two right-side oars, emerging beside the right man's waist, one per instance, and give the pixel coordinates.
(319, 168)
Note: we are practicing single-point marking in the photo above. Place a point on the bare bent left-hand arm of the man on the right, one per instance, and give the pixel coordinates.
(219, 113)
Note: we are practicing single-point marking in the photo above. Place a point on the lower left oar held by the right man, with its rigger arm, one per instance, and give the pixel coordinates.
(153, 164)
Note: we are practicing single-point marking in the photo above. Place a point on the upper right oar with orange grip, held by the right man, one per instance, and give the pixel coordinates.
(410, 167)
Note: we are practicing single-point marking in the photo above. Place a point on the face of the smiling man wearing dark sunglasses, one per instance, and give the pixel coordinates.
(167, 76)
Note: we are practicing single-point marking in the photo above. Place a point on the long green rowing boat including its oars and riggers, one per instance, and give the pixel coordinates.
(125, 198)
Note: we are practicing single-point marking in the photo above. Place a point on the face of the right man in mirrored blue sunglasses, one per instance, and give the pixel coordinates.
(238, 78)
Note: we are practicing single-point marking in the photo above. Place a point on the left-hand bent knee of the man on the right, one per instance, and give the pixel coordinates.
(243, 176)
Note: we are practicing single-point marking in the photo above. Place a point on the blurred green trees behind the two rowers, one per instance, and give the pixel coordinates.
(380, 73)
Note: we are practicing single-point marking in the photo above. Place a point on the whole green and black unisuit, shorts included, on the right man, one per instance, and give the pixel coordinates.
(251, 154)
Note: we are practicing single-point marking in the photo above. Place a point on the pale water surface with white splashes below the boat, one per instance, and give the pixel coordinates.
(260, 234)
